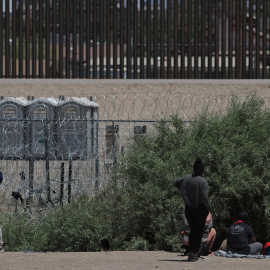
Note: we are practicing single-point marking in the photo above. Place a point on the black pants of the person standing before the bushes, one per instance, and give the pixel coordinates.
(196, 219)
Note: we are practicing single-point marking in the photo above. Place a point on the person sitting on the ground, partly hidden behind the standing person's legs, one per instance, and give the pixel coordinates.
(208, 239)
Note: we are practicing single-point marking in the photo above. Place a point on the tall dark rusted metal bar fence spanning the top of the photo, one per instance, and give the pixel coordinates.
(138, 39)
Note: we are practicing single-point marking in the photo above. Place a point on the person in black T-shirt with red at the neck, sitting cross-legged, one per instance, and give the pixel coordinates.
(241, 238)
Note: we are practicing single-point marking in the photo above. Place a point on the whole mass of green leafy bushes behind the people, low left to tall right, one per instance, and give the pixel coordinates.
(141, 210)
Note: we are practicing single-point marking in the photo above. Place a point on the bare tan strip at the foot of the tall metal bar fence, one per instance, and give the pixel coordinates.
(87, 88)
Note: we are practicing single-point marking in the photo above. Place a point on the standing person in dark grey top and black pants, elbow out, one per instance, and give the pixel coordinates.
(194, 189)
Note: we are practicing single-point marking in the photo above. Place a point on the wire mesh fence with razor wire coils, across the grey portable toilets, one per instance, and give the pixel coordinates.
(54, 160)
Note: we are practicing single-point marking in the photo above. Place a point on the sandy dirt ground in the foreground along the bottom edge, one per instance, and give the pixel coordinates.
(128, 260)
